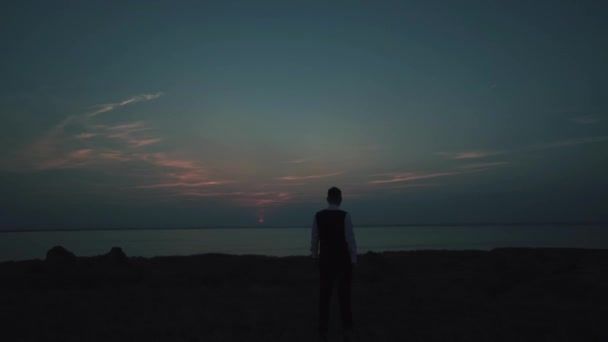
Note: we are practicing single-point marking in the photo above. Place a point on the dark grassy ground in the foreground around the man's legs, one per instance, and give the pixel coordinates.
(502, 295)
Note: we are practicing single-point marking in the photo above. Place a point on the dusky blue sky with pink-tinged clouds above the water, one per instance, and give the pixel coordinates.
(135, 114)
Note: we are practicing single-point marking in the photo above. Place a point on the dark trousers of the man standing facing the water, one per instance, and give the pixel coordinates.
(341, 275)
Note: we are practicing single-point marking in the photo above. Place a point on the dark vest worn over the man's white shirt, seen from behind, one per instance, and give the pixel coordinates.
(333, 249)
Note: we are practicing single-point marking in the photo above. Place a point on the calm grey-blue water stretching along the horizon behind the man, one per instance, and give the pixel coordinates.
(295, 241)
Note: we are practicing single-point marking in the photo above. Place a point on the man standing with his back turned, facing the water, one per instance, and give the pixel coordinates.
(333, 245)
